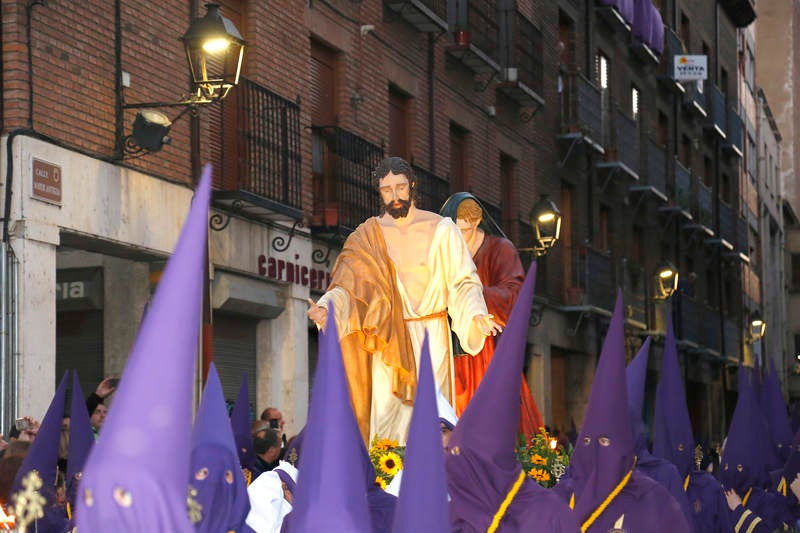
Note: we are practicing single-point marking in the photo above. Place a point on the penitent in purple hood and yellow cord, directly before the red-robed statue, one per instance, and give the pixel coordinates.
(481, 465)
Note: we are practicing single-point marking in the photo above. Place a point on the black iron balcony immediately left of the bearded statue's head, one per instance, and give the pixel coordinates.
(345, 193)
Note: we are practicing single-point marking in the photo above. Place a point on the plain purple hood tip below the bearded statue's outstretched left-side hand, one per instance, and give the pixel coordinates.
(330, 496)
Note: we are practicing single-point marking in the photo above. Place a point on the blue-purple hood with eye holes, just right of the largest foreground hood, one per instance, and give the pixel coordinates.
(215, 472)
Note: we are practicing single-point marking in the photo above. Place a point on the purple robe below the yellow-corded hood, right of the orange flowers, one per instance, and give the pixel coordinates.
(642, 505)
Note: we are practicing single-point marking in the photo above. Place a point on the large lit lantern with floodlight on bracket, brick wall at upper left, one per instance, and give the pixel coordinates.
(215, 50)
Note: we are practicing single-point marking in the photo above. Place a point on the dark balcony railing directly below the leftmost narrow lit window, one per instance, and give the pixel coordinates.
(581, 107)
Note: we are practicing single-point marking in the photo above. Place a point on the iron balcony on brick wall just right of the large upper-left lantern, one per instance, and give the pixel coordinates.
(264, 179)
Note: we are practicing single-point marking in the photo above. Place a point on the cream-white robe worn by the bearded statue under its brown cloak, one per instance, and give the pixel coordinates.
(455, 286)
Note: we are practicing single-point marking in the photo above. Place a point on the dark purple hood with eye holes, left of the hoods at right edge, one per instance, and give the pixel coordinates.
(743, 463)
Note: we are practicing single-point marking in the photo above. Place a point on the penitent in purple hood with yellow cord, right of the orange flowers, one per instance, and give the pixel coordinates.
(603, 462)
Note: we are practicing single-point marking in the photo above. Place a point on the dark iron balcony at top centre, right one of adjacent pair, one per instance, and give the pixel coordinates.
(523, 70)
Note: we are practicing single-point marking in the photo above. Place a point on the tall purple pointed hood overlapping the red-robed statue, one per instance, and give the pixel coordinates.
(481, 461)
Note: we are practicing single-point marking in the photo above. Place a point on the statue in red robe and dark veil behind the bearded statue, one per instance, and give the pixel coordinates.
(502, 275)
